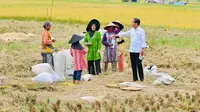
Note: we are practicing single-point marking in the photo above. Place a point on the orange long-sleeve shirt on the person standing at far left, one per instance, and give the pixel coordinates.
(46, 40)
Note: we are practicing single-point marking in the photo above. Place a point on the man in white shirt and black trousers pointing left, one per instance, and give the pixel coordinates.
(137, 45)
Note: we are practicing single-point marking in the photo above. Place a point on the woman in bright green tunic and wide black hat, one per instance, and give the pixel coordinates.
(92, 40)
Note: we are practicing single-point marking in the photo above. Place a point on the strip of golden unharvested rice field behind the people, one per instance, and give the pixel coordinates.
(70, 11)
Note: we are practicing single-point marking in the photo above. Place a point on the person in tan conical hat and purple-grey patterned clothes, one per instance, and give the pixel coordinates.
(110, 51)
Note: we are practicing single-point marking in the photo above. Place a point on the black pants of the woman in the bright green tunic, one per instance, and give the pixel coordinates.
(94, 67)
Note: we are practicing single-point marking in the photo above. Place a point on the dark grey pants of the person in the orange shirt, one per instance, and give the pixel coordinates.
(47, 58)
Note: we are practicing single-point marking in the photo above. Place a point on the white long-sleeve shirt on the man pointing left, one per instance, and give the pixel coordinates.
(137, 38)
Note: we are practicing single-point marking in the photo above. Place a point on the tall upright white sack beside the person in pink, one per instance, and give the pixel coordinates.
(63, 64)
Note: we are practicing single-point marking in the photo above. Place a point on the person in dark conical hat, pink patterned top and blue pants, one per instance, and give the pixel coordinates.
(78, 53)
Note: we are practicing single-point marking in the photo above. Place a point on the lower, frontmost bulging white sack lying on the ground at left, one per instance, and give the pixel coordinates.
(46, 77)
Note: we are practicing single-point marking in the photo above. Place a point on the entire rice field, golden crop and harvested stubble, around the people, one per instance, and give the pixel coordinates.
(172, 33)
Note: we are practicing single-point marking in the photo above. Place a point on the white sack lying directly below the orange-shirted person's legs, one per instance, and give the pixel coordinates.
(43, 67)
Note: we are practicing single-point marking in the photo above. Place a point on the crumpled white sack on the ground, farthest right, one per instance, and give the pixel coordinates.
(163, 78)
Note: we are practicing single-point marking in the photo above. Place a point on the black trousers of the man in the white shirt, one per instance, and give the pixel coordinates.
(136, 64)
